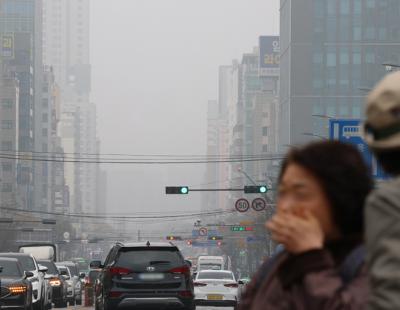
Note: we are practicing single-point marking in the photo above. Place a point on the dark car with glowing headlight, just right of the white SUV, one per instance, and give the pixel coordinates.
(57, 282)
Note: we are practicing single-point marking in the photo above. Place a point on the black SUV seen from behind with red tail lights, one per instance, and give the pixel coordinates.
(144, 275)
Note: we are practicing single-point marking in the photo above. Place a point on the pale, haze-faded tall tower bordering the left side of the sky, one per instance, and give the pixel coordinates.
(66, 49)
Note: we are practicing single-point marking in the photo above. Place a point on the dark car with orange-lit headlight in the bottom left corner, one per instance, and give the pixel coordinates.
(16, 289)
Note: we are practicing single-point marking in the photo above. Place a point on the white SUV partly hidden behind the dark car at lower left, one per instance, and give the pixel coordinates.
(39, 286)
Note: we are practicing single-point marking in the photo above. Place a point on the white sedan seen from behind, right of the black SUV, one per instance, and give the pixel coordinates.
(216, 288)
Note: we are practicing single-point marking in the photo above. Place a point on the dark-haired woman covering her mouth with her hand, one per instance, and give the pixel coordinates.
(319, 221)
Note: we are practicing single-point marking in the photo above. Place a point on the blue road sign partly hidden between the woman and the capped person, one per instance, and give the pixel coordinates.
(350, 131)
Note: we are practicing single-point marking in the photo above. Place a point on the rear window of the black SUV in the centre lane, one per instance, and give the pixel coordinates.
(144, 256)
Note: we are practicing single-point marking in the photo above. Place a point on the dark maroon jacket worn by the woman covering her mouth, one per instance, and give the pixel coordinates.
(308, 281)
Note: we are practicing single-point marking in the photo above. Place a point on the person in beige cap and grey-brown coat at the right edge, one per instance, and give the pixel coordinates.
(382, 218)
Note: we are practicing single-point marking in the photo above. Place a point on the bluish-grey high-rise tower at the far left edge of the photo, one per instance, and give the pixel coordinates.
(21, 32)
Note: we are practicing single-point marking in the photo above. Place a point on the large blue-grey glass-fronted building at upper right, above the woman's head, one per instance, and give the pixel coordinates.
(332, 52)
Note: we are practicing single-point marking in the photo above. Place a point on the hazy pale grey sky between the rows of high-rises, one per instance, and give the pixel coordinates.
(155, 66)
